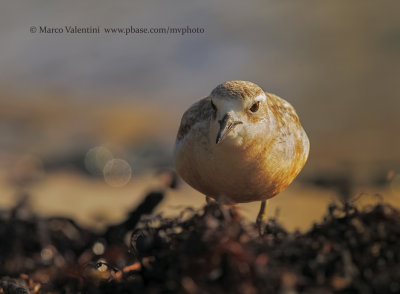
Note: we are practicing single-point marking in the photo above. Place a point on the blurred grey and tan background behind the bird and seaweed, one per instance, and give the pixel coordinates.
(88, 121)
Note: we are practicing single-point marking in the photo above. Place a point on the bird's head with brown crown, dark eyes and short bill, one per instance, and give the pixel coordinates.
(239, 108)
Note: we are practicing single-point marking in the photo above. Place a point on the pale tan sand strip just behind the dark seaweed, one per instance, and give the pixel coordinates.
(94, 203)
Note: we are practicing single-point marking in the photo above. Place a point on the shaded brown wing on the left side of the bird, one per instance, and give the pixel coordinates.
(198, 112)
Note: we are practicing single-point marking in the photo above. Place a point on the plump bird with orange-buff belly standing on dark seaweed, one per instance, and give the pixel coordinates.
(240, 144)
